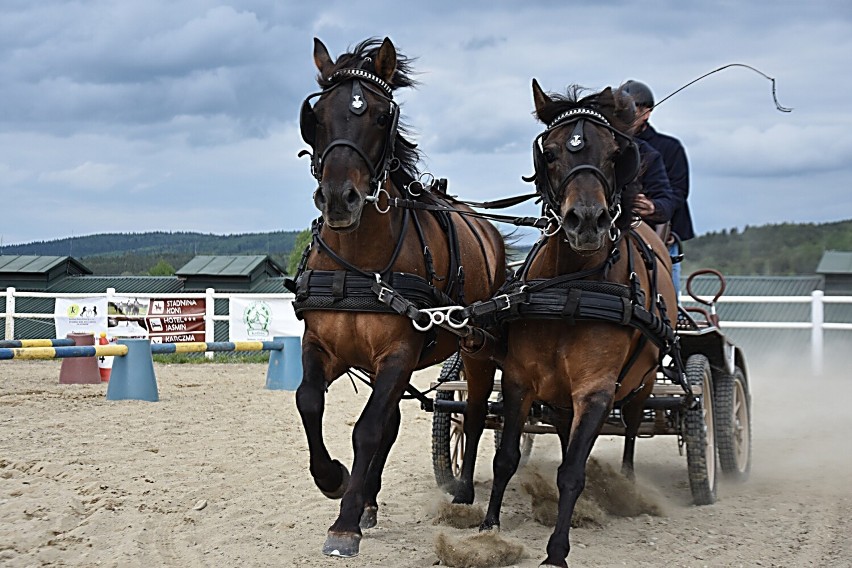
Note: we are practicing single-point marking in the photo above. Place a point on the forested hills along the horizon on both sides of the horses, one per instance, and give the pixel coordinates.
(784, 249)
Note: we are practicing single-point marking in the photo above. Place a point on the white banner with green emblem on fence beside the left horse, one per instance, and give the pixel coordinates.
(262, 319)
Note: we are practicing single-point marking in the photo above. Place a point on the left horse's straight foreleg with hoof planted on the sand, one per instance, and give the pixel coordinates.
(344, 535)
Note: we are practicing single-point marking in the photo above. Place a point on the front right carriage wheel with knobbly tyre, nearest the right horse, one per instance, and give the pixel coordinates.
(699, 434)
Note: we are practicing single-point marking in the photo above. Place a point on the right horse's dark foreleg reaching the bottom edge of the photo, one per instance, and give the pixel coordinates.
(589, 414)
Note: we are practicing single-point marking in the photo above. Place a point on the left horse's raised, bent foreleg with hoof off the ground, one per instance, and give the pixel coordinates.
(330, 476)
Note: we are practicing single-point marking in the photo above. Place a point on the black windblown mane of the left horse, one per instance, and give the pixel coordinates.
(406, 152)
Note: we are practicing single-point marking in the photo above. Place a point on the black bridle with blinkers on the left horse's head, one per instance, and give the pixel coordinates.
(360, 80)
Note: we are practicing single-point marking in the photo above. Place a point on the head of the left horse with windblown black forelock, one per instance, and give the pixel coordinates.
(353, 127)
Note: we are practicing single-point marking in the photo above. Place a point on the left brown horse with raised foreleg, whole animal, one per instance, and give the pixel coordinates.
(371, 268)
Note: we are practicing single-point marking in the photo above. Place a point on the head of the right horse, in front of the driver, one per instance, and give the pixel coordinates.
(583, 160)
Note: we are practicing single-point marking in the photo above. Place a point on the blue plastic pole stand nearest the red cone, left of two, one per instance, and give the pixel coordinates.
(132, 376)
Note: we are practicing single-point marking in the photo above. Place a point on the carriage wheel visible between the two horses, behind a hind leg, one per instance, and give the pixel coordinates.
(448, 441)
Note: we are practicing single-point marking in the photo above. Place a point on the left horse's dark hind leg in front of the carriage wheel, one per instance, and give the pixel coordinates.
(480, 383)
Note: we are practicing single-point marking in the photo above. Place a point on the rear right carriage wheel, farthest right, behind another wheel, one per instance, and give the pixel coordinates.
(733, 425)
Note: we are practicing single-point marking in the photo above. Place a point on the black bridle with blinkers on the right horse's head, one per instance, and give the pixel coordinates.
(626, 165)
